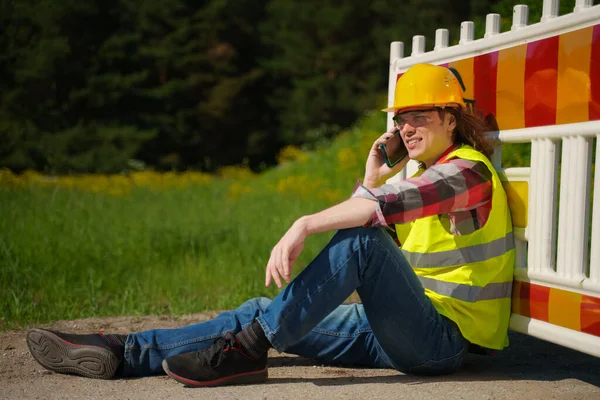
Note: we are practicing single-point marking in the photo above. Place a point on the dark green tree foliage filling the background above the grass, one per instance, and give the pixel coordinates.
(94, 86)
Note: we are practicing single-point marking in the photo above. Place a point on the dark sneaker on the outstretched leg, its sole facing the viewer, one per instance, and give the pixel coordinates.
(93, 356)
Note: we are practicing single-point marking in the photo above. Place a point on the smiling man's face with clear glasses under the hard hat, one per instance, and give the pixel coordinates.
(425, 134)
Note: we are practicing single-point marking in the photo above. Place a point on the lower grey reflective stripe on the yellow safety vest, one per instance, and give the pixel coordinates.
(468, 293)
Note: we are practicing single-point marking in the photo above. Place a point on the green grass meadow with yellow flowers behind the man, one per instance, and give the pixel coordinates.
(67, 254)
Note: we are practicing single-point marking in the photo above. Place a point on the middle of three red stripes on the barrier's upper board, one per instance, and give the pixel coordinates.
(541, 82)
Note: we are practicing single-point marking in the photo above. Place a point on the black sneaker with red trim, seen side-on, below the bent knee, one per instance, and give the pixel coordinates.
(223, 363)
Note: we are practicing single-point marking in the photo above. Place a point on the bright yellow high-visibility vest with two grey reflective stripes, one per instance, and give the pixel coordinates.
(468, 278)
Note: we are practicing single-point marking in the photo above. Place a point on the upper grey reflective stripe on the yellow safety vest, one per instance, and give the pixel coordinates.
(465, 255)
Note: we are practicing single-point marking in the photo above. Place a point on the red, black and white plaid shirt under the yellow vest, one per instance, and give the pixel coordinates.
(458, 190)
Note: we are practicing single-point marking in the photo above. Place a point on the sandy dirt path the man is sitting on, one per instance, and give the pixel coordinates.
(529, 369)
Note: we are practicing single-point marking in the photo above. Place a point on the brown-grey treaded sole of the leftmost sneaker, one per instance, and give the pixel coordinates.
(63, 357)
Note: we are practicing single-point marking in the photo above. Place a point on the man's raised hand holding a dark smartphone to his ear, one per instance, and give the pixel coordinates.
(387, 157)
